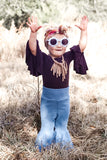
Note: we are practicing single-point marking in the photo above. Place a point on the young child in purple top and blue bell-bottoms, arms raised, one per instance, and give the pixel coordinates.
(54, 68)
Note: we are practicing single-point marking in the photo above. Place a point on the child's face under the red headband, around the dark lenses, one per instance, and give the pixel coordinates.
(57, 50)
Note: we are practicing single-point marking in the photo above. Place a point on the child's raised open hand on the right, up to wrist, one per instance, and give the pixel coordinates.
(83, 24)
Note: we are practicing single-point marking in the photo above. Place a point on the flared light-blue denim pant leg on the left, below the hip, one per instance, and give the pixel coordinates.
(48, 114)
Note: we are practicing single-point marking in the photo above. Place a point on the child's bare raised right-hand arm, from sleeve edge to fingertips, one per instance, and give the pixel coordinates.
(83, 36)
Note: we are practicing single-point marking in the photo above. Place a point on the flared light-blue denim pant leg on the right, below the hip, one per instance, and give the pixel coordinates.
(62, 133)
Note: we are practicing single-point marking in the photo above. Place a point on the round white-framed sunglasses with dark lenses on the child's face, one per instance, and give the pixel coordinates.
(54, 41)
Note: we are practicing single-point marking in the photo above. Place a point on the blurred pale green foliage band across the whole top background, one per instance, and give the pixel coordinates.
(47, 10)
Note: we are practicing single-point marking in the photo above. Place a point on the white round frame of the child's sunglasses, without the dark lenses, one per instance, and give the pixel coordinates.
(57, 40)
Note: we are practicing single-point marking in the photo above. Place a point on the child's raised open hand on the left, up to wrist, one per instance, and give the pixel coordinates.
(32, 24)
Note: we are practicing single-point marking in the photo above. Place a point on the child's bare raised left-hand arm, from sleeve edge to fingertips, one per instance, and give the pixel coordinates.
(32, 23)
